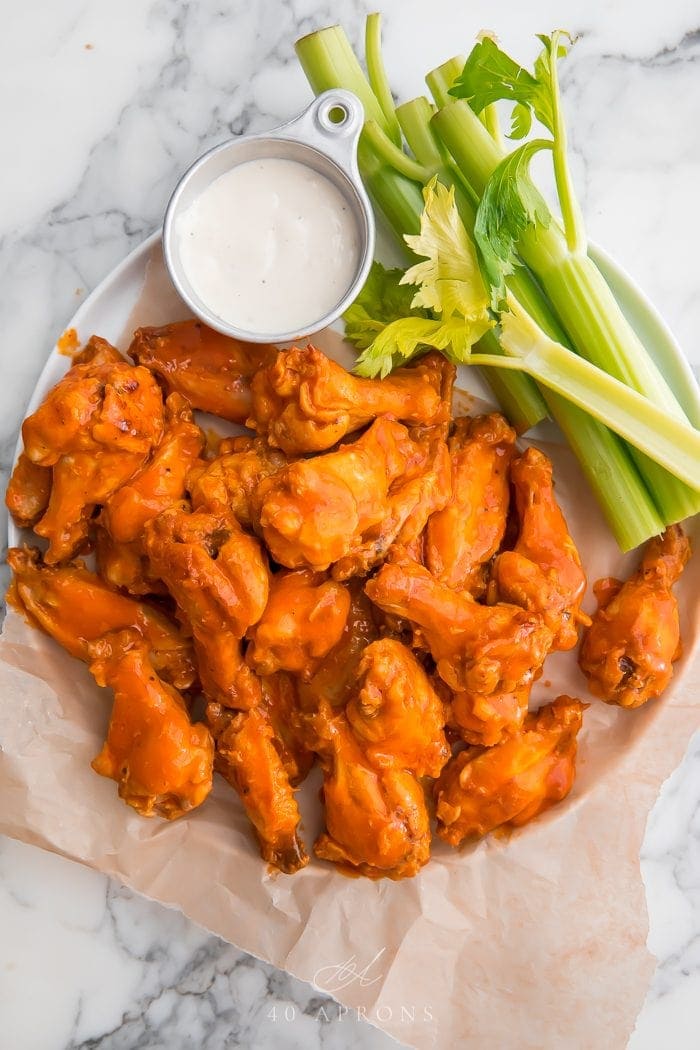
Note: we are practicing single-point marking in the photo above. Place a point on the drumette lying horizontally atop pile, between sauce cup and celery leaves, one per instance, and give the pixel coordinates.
(305, 403)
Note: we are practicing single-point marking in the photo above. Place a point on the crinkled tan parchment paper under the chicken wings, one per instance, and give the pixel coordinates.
(538, 942)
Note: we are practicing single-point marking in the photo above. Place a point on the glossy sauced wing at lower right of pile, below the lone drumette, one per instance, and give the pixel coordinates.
(508, 785)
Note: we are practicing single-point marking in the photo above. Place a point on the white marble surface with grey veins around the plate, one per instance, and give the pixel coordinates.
(103, 106)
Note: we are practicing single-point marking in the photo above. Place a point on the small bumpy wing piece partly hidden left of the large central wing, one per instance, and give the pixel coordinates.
(231, 481)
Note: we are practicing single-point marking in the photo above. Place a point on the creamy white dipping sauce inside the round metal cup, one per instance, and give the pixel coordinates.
(271, 246)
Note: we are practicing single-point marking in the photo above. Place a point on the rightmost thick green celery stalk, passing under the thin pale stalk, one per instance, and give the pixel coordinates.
(580, 295)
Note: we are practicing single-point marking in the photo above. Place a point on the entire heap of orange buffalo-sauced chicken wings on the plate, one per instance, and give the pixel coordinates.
(360, 581)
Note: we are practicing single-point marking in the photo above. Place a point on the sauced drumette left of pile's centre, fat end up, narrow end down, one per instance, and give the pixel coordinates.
(220, 579)
